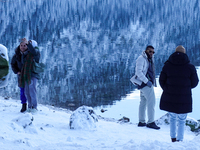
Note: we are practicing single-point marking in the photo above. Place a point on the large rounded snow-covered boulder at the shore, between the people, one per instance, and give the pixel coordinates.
(83, 117)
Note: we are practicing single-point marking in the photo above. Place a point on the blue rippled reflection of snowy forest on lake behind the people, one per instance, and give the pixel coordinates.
(90, 47)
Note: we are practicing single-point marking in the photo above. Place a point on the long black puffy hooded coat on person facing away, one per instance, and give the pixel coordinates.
(177, 78)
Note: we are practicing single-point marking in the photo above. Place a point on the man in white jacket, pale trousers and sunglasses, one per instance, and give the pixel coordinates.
(144, 79)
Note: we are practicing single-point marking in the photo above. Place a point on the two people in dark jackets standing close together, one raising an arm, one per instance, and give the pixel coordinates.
(22, 64)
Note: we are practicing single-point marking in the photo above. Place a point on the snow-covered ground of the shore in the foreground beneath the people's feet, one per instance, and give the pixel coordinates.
(48, 129)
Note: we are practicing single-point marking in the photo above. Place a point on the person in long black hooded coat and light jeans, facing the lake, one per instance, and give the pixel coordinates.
(177, 78)
